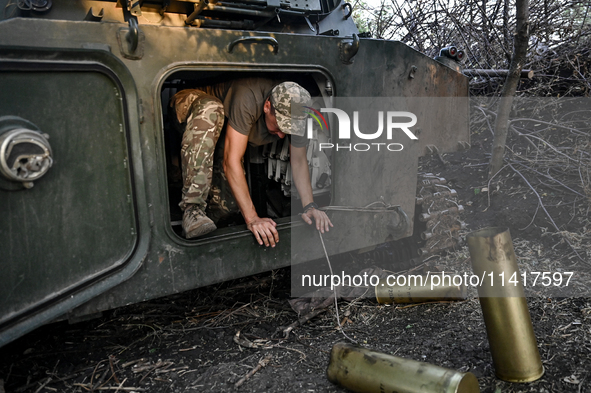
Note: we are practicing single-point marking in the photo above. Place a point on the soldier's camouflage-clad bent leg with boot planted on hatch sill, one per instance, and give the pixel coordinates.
(204, 124)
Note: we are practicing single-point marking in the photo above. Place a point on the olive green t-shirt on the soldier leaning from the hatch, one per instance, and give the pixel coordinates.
(243, 101)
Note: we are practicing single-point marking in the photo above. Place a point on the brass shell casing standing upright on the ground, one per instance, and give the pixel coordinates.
(509, 328)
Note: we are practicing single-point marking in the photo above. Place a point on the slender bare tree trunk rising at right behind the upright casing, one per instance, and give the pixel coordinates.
(502, 122)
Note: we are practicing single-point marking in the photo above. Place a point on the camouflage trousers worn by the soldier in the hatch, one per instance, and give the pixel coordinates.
(202, 152)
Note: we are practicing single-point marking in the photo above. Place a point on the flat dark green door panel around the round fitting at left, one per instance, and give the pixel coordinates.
(77, 221)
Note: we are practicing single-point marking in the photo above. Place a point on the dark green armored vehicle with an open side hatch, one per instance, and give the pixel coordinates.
(88, 153)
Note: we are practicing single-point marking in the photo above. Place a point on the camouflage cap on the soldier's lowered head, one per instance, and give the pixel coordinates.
(289, 100)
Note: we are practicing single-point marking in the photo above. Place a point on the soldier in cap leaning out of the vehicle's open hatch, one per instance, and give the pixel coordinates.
(259, 111)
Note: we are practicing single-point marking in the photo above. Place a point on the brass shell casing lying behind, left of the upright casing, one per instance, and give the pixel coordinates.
(417, 289)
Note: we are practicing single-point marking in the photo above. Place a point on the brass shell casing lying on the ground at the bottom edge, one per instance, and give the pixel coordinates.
(362, 370)
